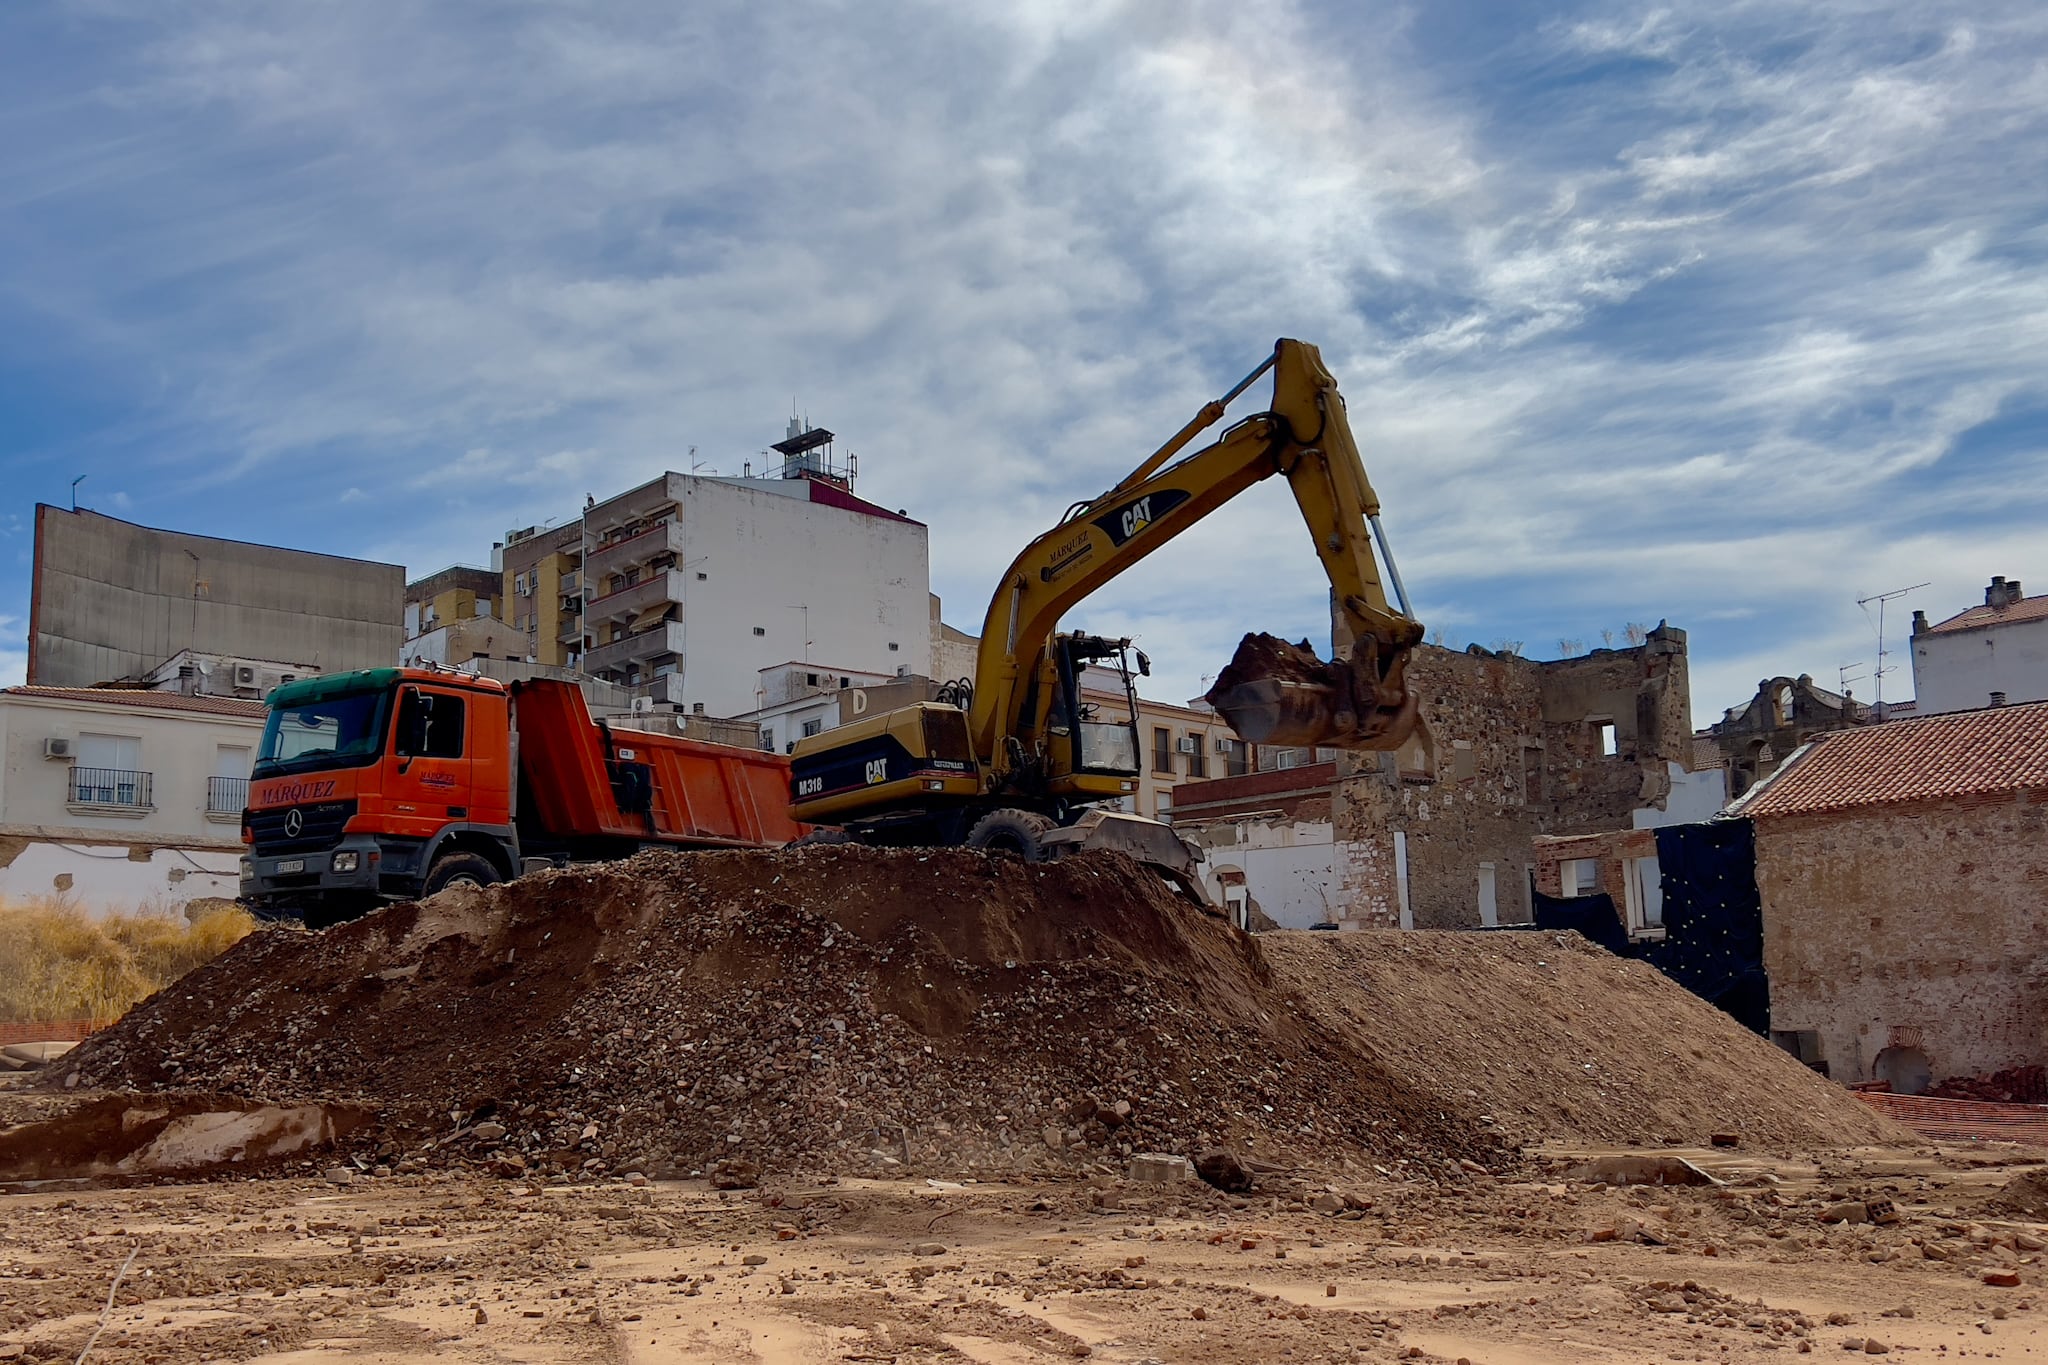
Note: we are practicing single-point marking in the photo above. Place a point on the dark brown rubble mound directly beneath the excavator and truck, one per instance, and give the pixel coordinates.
(734, 1012)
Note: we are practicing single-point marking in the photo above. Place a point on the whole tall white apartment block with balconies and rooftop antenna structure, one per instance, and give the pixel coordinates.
(691, 586)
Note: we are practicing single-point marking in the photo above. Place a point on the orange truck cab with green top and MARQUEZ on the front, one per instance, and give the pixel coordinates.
(378, 785)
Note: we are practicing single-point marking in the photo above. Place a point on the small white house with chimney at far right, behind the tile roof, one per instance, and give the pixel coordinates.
(1988, 656)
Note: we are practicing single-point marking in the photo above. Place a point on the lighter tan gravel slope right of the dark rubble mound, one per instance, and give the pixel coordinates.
(1555, 1039)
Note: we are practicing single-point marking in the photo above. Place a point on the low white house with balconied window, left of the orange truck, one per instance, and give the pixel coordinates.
(124, 799)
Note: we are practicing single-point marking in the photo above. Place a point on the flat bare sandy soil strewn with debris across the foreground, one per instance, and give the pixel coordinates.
(1533, 1272)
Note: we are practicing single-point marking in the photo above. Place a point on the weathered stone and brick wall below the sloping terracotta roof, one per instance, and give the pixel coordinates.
(1910, 928)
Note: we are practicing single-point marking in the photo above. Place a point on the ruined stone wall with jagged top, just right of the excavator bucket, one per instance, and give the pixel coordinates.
(1508, 750)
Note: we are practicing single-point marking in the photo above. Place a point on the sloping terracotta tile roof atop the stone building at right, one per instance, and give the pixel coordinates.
(1959, 754)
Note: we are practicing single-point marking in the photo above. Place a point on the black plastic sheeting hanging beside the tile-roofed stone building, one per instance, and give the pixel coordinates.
(1713, 920)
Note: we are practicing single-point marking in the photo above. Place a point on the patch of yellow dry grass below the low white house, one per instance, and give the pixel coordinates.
(58, 963)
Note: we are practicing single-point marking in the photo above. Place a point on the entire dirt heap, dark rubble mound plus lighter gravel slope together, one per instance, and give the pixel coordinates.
(941, 1012)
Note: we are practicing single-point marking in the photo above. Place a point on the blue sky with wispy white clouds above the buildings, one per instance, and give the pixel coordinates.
(1725, 314)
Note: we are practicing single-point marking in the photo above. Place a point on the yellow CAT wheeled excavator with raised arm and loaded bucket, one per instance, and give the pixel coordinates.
(1017, 758)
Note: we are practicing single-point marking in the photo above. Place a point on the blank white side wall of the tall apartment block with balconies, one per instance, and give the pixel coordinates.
(818, 582)
